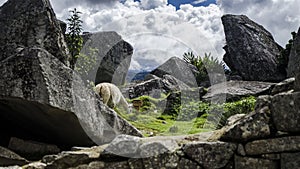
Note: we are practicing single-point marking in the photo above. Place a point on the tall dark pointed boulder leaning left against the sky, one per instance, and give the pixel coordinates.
(251, 50)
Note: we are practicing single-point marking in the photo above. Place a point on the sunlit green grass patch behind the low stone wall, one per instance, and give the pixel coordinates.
(150, 120)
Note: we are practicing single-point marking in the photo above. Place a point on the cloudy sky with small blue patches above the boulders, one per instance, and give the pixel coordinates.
(160, 29)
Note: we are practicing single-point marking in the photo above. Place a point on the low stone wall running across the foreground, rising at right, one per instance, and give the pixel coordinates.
(266, 138)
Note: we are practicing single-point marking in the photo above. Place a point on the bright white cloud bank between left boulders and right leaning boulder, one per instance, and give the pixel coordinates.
(153, 27)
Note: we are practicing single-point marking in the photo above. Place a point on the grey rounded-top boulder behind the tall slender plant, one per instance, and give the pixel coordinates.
(113, 57)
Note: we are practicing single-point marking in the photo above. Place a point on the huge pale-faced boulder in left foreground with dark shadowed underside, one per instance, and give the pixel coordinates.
(42, 99)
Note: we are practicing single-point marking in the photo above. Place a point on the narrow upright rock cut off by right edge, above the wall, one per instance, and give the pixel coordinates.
(294, 58)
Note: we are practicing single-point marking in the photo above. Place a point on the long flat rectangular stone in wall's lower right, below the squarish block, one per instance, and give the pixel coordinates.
(275, 145)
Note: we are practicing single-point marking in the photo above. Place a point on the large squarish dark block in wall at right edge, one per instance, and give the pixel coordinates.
(285, 112)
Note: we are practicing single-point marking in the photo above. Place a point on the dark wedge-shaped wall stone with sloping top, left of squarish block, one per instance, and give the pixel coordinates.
(253, 126)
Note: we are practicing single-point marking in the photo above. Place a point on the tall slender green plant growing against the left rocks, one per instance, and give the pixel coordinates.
(73, 37)
